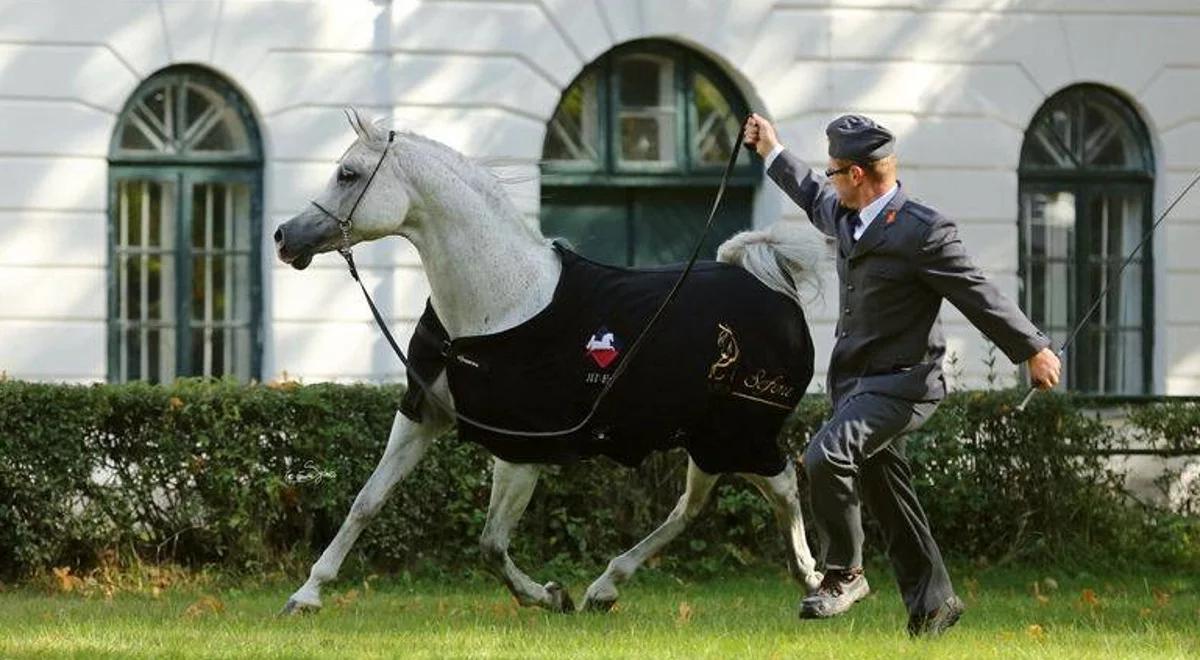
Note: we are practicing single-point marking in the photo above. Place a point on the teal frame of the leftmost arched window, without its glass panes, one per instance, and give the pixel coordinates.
(184, 172)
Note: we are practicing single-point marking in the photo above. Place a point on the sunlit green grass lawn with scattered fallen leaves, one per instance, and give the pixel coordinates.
(752, 615)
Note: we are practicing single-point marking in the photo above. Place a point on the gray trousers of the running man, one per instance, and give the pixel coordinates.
(860, 454)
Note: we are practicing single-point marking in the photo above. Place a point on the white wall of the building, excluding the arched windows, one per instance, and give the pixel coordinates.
(957, 80)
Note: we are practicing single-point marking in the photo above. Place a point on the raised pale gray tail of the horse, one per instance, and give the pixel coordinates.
(783, 256)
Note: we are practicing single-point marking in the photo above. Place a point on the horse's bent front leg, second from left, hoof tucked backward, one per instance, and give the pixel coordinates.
(513, 485)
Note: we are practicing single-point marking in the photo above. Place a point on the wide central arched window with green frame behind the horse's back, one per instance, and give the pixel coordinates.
(634, 153)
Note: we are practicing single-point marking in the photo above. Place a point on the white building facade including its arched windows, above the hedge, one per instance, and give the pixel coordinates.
(148, 151)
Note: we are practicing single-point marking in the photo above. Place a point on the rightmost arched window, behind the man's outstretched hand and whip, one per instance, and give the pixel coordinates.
(1087, 182)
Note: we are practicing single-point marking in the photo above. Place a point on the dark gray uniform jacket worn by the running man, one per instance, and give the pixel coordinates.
(892, 283)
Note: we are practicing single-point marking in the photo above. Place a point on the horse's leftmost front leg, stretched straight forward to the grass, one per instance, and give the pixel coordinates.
(406, 447)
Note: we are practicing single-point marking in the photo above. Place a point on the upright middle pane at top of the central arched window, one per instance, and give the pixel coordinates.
(647, 113)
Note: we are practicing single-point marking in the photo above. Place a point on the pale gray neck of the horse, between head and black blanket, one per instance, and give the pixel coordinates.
(488, 273)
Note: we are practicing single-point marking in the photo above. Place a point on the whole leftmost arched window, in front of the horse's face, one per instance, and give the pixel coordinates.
(185, 208)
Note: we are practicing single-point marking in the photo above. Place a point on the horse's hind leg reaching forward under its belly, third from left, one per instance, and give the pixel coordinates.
(603, 593)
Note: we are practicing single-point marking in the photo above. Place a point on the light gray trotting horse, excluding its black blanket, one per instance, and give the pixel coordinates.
(489, 271)
